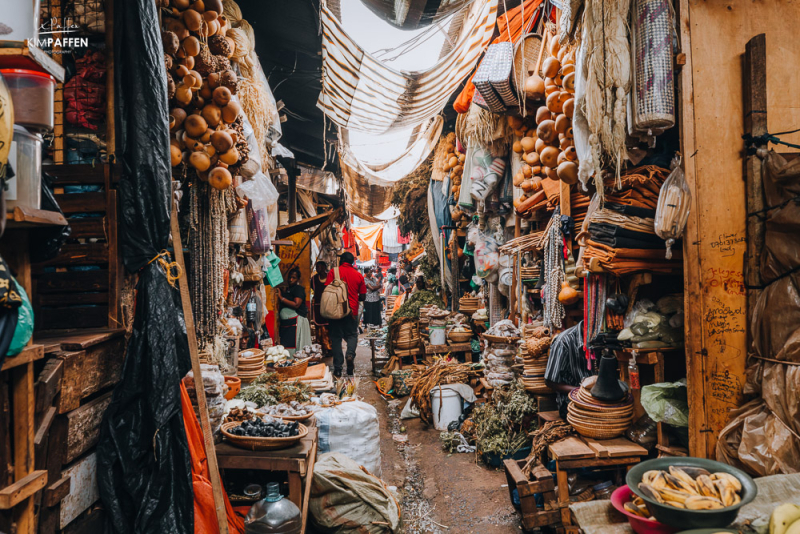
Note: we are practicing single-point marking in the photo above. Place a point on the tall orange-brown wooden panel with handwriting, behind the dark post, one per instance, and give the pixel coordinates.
(717, 225)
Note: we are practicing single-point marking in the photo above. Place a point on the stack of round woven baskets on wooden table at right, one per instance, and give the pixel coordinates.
(598, 419)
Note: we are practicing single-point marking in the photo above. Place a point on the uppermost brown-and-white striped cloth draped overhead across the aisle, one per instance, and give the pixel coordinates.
(361, 93)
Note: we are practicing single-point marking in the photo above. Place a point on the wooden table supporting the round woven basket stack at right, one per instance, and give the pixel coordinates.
(580, 452)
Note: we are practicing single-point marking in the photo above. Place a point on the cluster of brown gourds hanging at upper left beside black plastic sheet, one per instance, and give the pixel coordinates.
(204, 132)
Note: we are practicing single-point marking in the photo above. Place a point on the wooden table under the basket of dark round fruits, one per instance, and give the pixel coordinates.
(295, 461)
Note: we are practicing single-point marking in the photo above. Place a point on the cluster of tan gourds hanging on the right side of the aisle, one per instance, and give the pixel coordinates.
(546, 141)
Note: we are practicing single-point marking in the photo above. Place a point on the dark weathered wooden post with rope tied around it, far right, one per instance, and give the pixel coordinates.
(755, 123)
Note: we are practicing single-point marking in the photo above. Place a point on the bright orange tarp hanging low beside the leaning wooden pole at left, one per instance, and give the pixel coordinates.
(205, 518)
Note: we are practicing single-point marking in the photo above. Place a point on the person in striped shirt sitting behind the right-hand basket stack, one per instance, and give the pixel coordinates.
(566, 367)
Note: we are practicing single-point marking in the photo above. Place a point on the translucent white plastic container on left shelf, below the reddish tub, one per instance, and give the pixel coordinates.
(25, 189)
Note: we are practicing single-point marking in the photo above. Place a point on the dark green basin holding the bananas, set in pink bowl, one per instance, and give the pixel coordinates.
(688, 519)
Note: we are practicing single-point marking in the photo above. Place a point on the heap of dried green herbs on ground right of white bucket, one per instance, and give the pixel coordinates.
(502, 425)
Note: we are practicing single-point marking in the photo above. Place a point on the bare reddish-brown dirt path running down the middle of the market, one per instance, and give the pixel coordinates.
(440, 493)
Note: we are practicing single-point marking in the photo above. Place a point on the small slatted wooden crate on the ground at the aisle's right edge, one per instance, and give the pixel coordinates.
(540, 482)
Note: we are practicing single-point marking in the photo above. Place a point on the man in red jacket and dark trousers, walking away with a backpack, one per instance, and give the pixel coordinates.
(346, 328)
